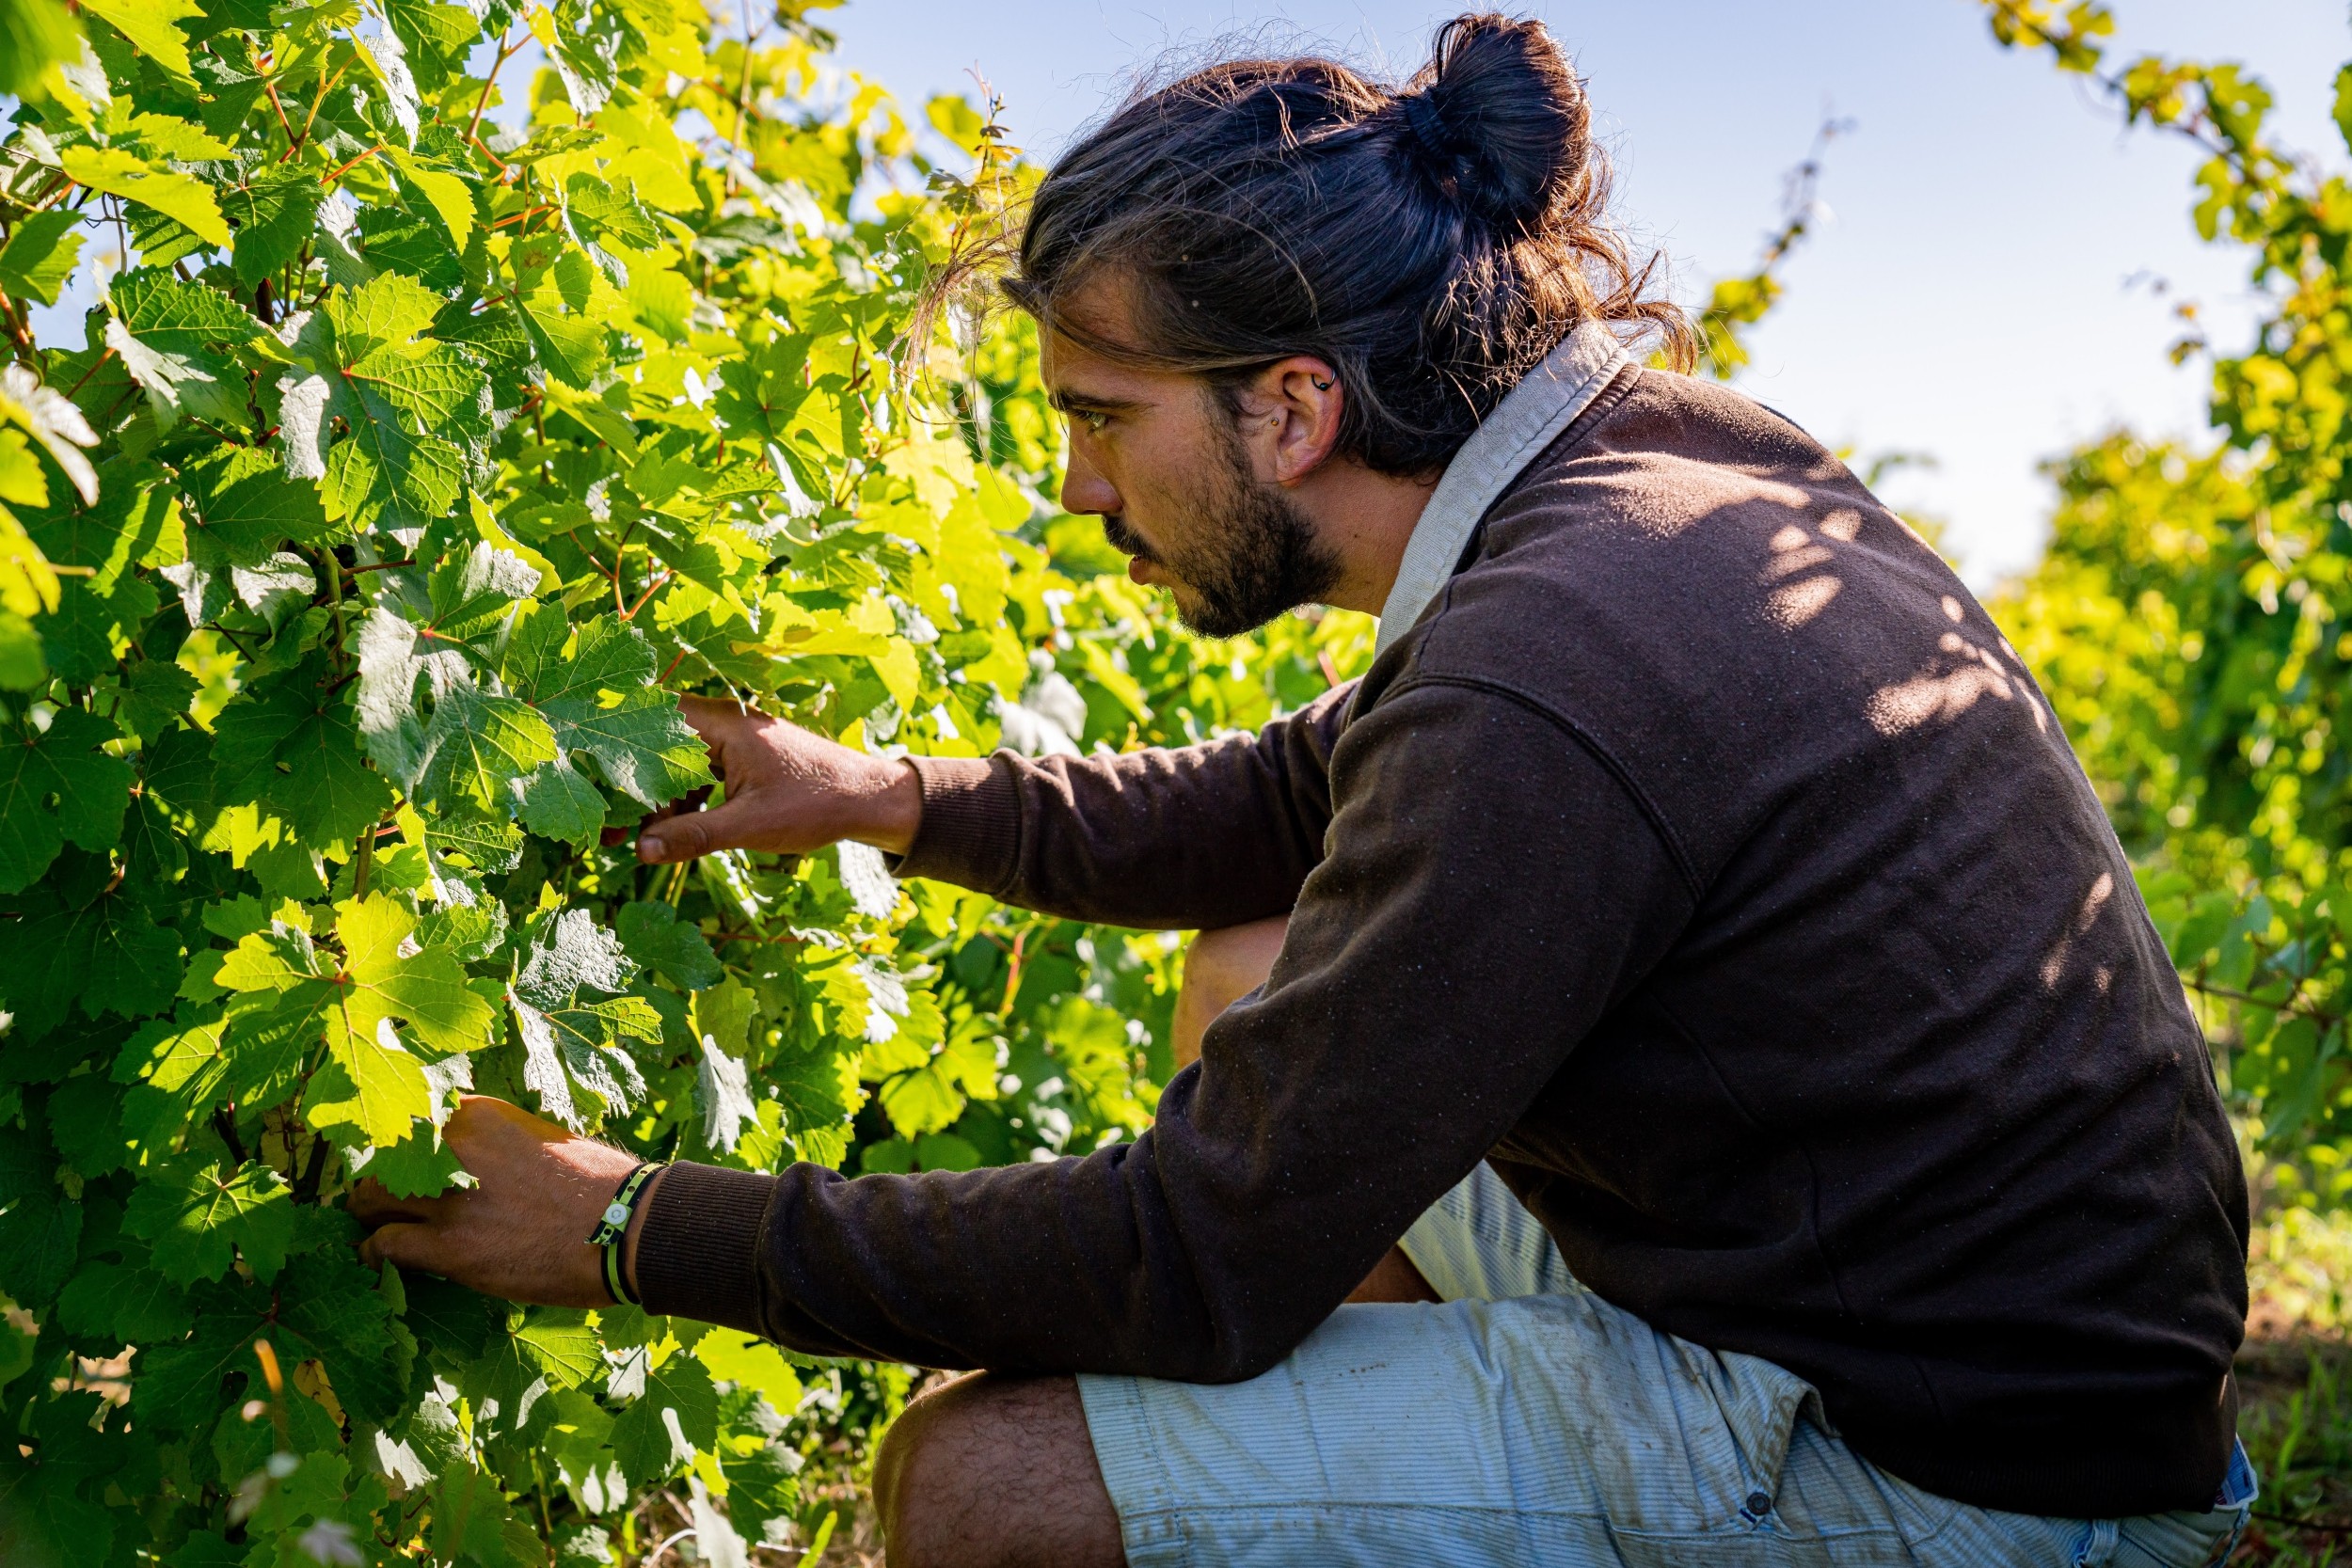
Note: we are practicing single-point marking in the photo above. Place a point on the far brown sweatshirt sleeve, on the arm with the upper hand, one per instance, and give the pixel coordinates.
(1175, 838)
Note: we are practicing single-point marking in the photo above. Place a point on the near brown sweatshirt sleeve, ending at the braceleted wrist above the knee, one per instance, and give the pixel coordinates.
(1492, 890)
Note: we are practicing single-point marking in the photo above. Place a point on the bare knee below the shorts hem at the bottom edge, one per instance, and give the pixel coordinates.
(996, 1473)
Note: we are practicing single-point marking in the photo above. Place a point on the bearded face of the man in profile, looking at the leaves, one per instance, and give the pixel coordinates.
(1161, 462)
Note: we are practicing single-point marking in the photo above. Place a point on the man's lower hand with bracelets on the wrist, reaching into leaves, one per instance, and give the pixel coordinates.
(523, 1231)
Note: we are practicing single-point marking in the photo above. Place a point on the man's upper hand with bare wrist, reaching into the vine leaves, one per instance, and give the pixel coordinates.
(789, 791)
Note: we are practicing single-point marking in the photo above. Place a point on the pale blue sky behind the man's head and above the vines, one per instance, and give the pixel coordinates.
(1986, 286)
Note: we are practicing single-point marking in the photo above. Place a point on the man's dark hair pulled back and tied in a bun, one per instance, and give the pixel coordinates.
(1434, 243)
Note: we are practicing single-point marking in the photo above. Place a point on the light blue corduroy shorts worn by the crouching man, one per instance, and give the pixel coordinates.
(1528, 1421)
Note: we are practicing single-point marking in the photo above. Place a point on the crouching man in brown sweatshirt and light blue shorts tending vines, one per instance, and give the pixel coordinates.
(1716, 1036)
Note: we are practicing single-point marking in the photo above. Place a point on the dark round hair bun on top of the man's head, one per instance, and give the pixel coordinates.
(1502, 119)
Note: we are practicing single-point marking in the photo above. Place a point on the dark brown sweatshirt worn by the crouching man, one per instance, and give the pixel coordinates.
(1709, 864)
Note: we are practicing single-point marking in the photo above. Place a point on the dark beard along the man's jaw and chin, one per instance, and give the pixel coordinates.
(1252, 554)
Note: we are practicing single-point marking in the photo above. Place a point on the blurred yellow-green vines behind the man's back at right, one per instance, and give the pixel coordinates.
(2189, 617)
